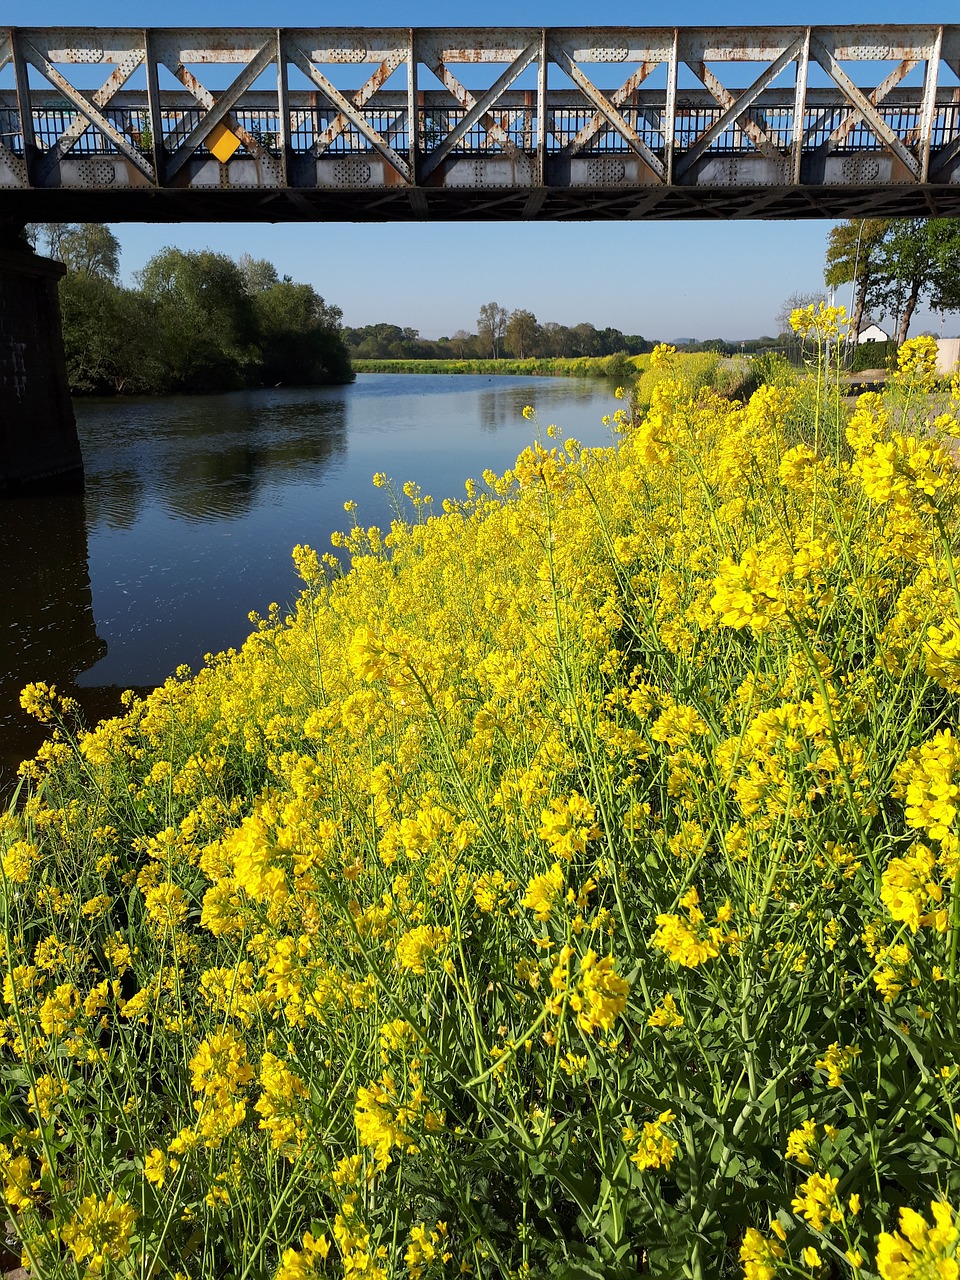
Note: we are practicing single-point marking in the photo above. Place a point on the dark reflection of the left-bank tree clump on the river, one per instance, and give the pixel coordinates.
(205, 459)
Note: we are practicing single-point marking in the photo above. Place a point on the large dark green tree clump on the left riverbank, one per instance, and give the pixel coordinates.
(196, 322)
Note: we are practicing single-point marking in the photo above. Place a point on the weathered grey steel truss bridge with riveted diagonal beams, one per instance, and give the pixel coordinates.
(479, 124)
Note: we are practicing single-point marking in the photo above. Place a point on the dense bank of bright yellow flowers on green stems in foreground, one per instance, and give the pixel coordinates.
(569, 888)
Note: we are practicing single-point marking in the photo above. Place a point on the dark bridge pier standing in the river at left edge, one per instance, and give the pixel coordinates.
(39, 445)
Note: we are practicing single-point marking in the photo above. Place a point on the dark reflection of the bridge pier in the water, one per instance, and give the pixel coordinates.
(48, 630)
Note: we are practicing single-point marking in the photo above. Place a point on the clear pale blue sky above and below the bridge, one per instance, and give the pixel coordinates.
(660, 280)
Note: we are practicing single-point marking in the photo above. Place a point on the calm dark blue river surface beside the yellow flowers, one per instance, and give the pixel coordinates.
(193, 506)
